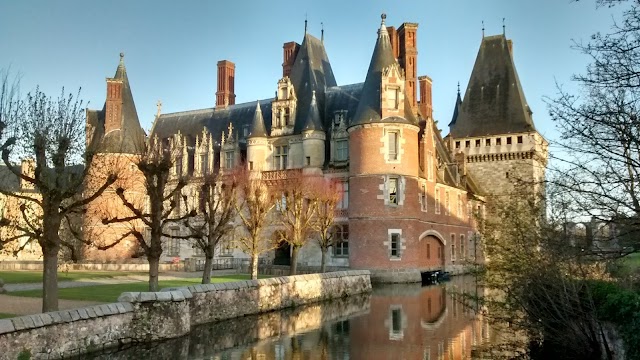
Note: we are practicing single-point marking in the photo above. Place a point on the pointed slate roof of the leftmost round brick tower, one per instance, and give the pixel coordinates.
(130, 137)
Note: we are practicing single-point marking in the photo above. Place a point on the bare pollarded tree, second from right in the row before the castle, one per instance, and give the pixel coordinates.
(297, 209)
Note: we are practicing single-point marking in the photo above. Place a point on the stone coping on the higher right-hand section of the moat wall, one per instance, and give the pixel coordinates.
(183, 293)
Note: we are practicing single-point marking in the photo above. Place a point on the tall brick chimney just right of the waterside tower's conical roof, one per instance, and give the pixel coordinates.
(408, 59)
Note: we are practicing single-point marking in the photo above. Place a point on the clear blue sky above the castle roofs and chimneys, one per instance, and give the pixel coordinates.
(172, 47)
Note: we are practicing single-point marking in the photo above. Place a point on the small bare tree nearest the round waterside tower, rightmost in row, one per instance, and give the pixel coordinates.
(327, 199)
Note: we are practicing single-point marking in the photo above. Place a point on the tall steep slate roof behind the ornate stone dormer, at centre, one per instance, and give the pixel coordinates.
(311, 72)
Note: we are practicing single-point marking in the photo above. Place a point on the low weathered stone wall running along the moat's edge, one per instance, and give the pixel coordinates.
(148, 316)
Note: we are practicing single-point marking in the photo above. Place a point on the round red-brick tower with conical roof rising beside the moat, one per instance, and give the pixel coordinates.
(383, 169)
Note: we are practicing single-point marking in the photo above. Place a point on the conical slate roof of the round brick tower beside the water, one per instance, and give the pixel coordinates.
(370, 107)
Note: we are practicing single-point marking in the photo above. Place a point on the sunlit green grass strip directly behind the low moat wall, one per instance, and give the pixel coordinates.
(110, 293)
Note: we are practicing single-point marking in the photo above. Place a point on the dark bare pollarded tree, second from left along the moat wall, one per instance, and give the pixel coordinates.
(161, 208)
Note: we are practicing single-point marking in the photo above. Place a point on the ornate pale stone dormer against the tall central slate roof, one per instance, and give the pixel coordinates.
(284, 108)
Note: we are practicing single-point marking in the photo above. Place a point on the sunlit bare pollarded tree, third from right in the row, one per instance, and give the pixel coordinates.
(254, 210)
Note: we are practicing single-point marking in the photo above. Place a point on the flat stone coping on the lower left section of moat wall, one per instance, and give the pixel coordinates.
(64, 316)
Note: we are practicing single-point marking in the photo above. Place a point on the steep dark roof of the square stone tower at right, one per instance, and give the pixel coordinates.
(494, 102)
